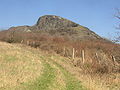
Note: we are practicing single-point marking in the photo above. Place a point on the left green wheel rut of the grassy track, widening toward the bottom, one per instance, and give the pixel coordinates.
(44, 81)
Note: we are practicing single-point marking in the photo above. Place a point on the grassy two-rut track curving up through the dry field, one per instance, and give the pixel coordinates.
(48, 81)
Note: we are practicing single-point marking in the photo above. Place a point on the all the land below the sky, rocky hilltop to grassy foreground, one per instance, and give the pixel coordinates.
(57, 54)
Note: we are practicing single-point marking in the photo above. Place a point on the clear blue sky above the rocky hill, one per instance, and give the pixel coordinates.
(97, 15)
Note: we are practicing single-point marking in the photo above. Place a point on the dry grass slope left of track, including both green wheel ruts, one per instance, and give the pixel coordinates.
(24, 68)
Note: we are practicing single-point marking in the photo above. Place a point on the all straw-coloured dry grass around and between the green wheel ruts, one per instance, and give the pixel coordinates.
(18, 64)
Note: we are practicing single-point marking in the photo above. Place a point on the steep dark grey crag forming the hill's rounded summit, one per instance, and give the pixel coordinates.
(54, 22)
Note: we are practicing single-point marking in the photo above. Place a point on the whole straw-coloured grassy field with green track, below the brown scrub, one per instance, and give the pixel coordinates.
(26, 68)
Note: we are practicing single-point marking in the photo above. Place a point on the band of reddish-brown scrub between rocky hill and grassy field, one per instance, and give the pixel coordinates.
(101, 56)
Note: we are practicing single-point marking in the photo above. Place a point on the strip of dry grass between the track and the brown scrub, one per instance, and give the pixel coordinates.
(93, 81)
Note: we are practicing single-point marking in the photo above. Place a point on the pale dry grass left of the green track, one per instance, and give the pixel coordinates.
(17, 65)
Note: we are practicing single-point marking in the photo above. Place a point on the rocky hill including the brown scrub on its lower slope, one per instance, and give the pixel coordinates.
(59, 35)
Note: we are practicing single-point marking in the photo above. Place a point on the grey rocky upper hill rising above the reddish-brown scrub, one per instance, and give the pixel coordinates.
(55, 25)
